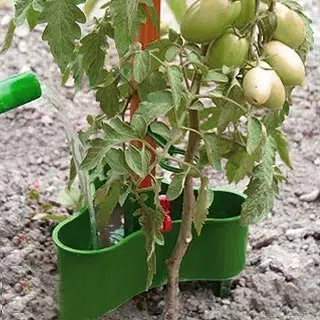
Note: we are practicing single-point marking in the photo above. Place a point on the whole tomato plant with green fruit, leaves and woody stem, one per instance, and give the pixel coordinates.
(231, 54)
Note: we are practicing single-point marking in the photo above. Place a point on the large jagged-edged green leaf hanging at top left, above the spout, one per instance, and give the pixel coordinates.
(62, 18)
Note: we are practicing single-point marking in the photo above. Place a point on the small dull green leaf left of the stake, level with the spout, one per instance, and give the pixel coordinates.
(109, 100)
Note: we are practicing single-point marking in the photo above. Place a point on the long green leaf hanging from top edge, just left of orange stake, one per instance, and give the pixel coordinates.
(124, 14)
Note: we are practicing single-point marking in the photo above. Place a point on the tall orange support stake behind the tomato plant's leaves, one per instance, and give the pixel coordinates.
(148, 34)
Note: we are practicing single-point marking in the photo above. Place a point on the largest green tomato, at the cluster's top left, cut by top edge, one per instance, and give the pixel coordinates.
(206, 20)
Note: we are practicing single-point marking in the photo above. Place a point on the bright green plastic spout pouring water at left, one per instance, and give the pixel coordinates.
(18, 90)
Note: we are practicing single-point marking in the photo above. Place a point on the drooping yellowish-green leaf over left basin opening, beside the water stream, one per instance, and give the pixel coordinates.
(106, 201)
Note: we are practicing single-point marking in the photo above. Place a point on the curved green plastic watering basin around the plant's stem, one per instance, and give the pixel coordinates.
(93, 282)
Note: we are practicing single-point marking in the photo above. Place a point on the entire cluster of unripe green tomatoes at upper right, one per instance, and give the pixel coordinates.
(220, 23)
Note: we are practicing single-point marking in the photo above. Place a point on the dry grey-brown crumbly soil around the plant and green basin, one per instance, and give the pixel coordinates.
(282, 276)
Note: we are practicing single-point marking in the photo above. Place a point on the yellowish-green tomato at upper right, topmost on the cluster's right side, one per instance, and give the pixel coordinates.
(291, 29)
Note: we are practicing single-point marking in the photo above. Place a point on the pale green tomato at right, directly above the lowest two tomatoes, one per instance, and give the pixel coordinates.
(286, 62)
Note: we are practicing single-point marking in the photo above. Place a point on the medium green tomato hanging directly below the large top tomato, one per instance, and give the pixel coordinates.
(229, 50)
